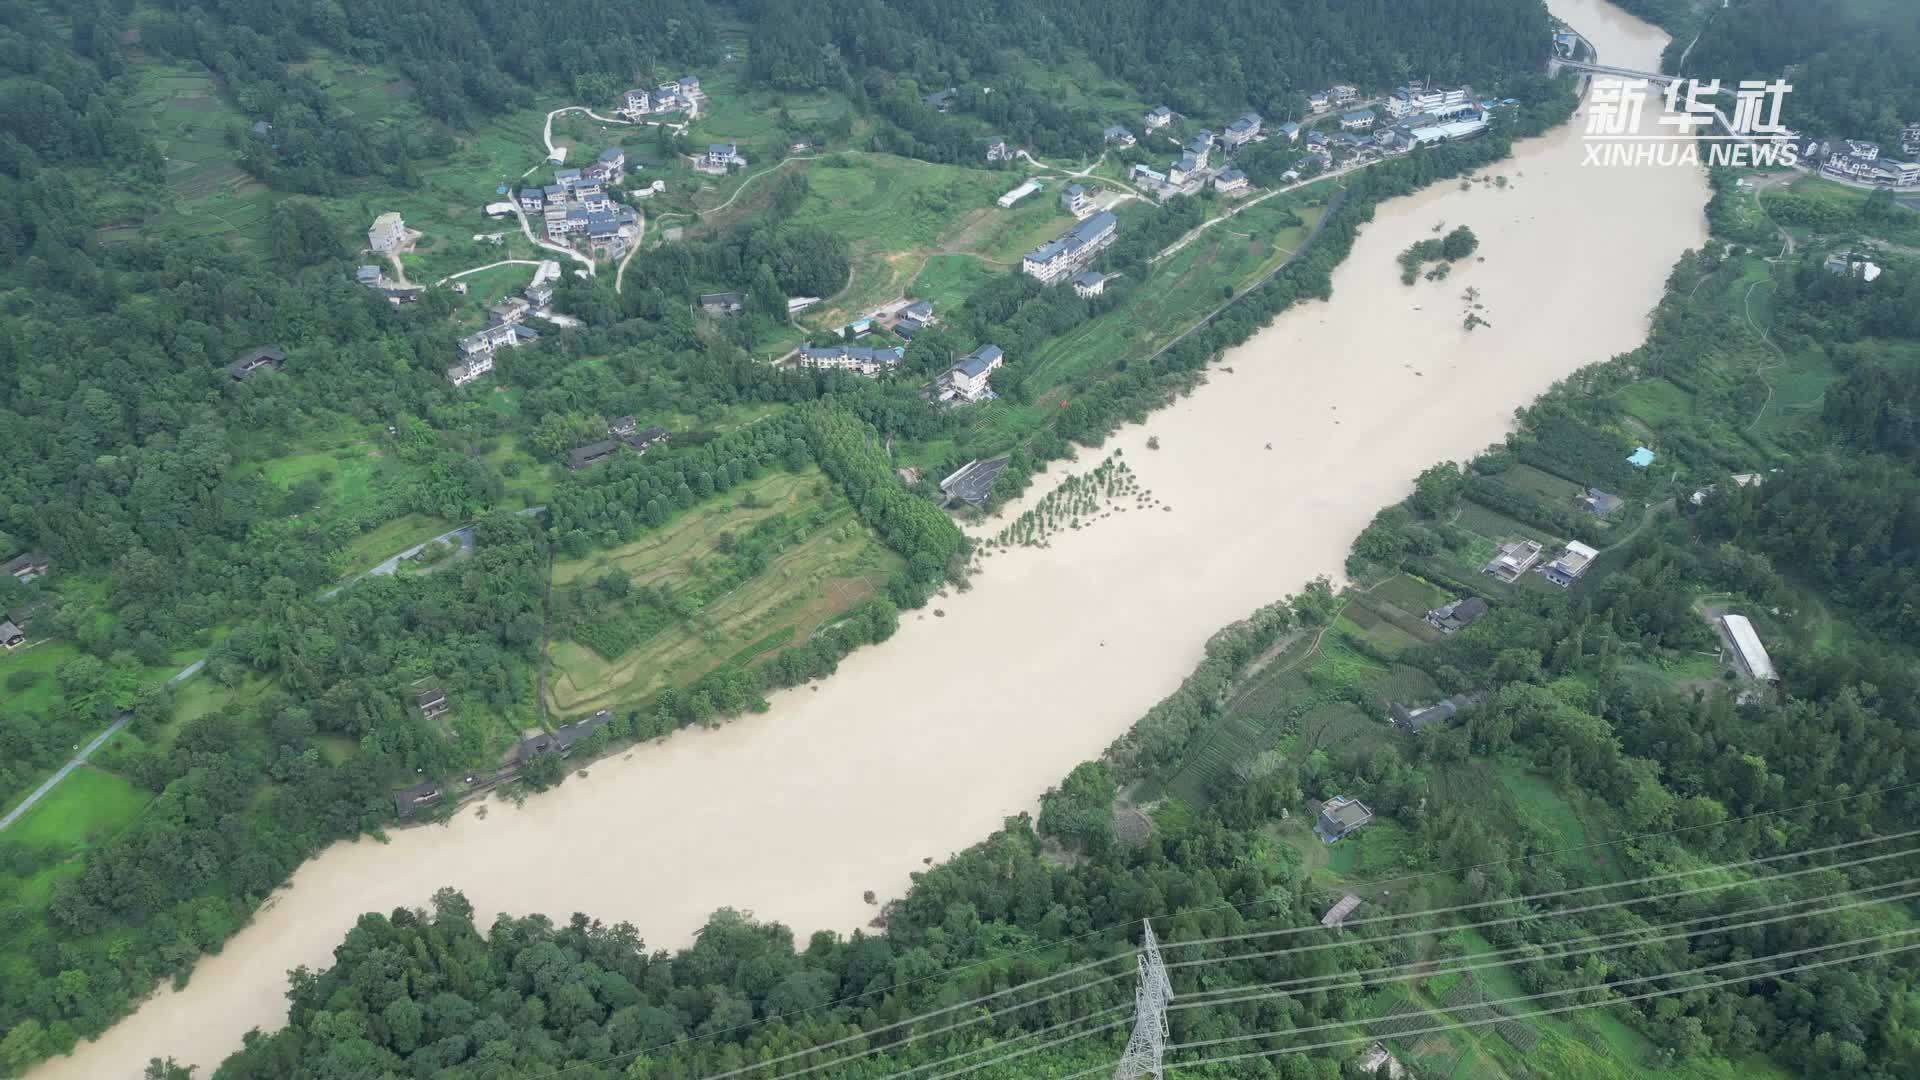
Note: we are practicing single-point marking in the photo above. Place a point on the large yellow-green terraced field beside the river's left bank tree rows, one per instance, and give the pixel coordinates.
(804, 587)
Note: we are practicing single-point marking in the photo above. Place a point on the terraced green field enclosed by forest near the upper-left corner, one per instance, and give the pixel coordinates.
(183, 110)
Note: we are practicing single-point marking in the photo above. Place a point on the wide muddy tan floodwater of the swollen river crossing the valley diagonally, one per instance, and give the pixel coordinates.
(924, 745)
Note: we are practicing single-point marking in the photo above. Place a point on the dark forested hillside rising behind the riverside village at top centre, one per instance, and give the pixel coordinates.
(1005, 59)
